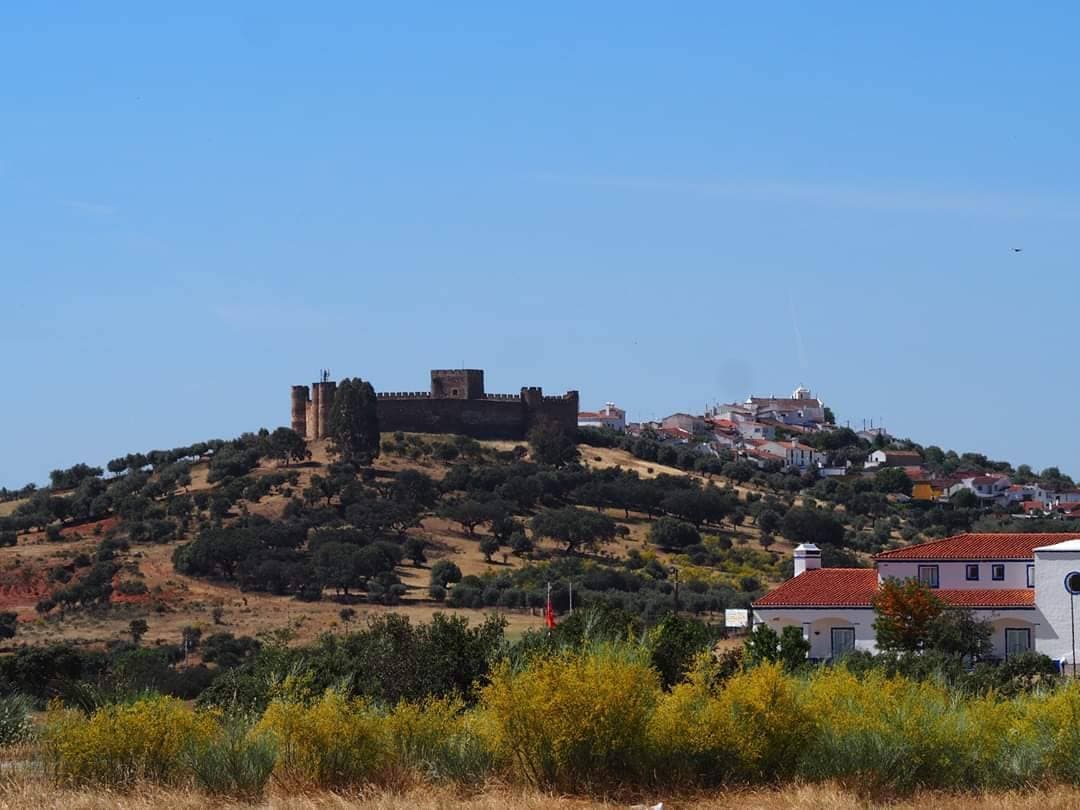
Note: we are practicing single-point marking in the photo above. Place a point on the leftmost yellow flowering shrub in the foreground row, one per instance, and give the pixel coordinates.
(120, 745)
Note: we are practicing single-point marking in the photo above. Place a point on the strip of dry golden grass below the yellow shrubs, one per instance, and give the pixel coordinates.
(28, 793)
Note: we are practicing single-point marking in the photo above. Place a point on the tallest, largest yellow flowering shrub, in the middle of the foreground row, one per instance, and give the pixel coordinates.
(573, 720)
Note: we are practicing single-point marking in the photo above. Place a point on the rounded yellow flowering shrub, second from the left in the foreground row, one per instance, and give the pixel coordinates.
(334, 742)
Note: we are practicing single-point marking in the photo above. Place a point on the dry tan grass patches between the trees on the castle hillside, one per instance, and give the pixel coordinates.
(173, 601)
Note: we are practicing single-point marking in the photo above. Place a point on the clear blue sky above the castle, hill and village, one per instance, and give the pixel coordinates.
(658, 206)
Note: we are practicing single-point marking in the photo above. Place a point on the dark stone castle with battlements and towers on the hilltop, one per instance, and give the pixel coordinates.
(457, 403)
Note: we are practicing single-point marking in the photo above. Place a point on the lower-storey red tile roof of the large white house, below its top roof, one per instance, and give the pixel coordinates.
(825, 588)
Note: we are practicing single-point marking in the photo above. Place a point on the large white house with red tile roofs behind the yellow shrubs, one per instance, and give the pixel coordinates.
(1022, 585)
